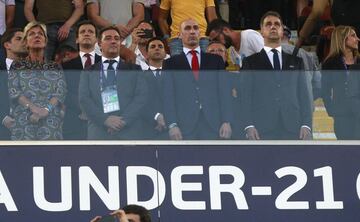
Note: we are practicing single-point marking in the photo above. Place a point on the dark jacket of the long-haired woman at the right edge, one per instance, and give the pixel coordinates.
(334, 87)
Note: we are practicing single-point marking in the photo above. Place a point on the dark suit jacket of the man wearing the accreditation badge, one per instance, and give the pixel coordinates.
(132, 94)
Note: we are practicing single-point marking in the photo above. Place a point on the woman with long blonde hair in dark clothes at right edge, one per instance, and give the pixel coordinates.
(335, 80)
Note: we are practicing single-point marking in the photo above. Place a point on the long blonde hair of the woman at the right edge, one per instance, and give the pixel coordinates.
(338, 39)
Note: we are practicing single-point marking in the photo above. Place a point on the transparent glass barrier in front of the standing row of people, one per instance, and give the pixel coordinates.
(181, 105)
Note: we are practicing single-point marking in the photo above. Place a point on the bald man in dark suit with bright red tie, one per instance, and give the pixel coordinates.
(197, 100)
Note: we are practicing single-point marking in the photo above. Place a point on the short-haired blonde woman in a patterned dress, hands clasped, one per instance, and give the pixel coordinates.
(37, 89)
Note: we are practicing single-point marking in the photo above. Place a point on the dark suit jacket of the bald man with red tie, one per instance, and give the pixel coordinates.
(183, 95)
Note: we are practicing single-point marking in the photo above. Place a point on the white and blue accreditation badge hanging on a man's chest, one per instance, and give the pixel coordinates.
(110, 99)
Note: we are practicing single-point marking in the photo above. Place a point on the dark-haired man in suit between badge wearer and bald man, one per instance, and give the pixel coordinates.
(154, 122)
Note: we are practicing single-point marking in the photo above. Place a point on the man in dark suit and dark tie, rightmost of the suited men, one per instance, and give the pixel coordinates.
(276, 102)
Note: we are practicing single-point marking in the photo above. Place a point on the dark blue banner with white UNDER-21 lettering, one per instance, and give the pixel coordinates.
(181, 182)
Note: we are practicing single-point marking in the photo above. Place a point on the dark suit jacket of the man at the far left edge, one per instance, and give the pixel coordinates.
(4, 101)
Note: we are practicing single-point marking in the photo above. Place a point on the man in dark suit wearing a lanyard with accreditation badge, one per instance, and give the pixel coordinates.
(112, 96)
